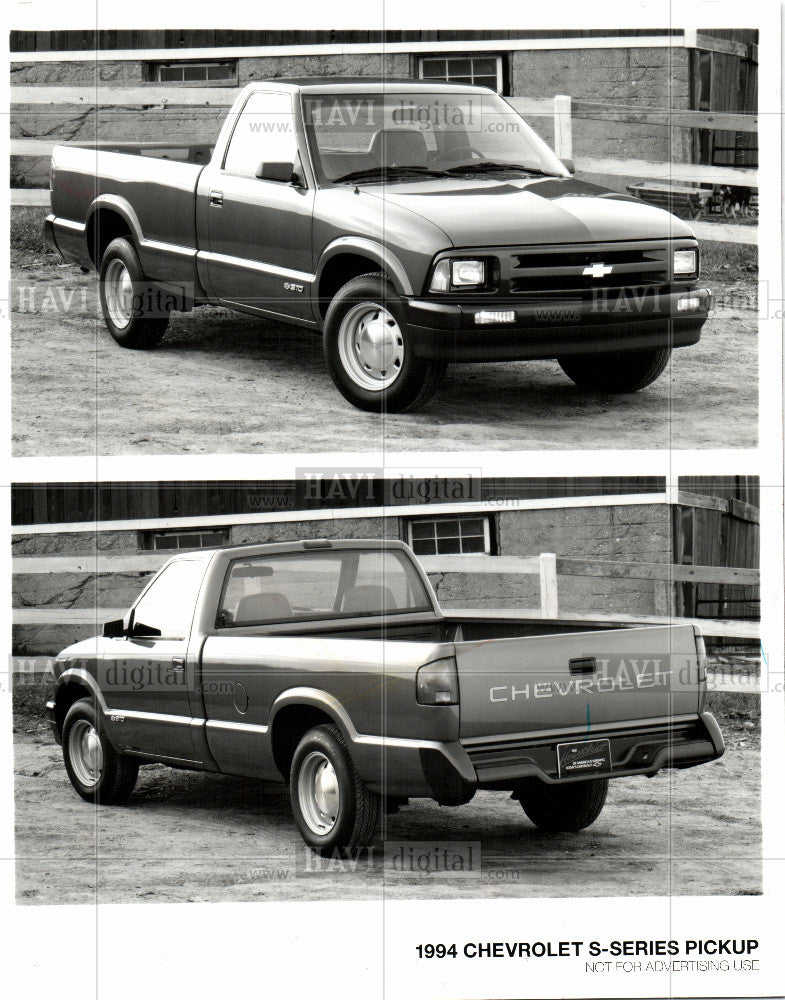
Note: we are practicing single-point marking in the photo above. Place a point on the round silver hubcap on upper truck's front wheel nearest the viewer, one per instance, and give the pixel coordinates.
(371, 347)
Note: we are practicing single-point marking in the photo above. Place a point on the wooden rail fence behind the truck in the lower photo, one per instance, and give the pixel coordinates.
(547, 567)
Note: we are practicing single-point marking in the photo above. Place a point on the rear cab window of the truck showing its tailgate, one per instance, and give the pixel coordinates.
(303, 586)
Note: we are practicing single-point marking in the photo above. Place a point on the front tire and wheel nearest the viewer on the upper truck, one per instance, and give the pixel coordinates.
(383, 381)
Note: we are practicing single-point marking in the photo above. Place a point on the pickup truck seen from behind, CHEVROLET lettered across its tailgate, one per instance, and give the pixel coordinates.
(329, 665)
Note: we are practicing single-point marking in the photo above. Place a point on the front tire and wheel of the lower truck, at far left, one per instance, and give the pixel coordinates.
(113, 780)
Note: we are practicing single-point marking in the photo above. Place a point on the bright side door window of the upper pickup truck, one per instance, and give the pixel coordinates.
(264, 133)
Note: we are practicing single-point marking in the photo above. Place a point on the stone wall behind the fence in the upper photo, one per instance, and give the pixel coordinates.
(642, 76)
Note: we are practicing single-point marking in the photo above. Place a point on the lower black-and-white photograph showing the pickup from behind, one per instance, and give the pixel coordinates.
(325, 666)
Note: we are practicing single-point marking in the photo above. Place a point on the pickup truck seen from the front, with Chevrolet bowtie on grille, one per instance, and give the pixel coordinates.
(410, 223)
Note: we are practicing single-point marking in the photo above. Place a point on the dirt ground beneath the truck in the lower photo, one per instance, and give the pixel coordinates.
(186, 837)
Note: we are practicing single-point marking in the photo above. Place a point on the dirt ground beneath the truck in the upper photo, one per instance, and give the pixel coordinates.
(225, 383)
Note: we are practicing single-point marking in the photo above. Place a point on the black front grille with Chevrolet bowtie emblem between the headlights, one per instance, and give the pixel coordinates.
(559, 271)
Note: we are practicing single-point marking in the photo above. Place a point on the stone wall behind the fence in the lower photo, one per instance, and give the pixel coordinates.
(629, 533)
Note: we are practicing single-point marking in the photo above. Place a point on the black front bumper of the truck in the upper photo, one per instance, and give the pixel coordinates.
(449, 331)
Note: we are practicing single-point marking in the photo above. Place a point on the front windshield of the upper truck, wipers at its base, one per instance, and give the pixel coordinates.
(393, 136)
